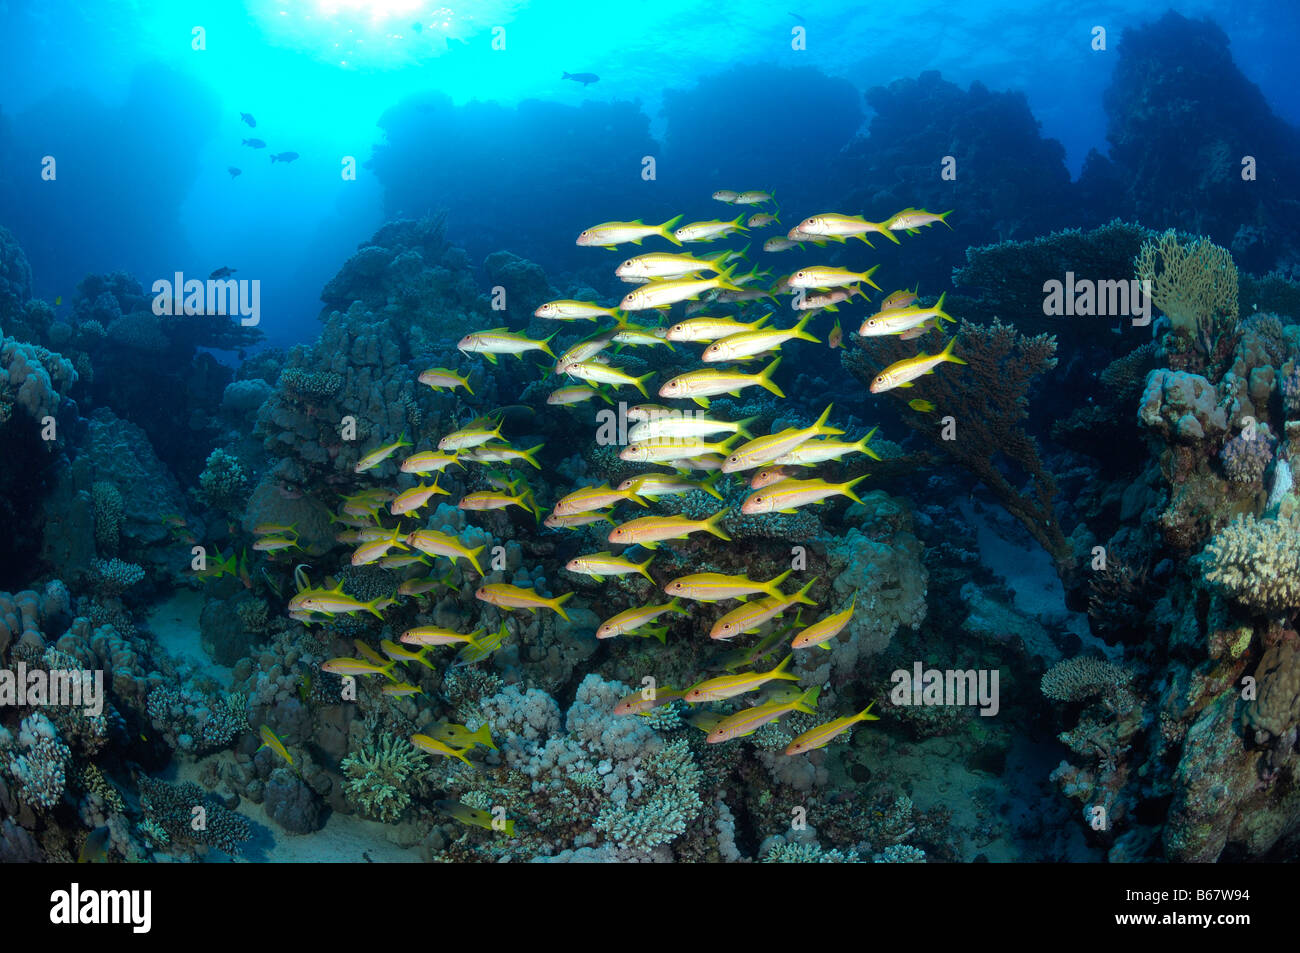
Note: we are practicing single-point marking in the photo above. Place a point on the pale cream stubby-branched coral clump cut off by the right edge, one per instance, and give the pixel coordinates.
(1258, 562)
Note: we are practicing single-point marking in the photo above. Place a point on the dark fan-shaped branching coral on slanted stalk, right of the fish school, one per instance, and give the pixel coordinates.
(989, 401)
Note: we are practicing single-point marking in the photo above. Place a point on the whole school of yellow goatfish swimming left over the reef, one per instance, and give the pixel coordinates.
(679, 444)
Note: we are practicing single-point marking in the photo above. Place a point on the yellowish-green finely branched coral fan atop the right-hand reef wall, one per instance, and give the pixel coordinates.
(1194, 285)
